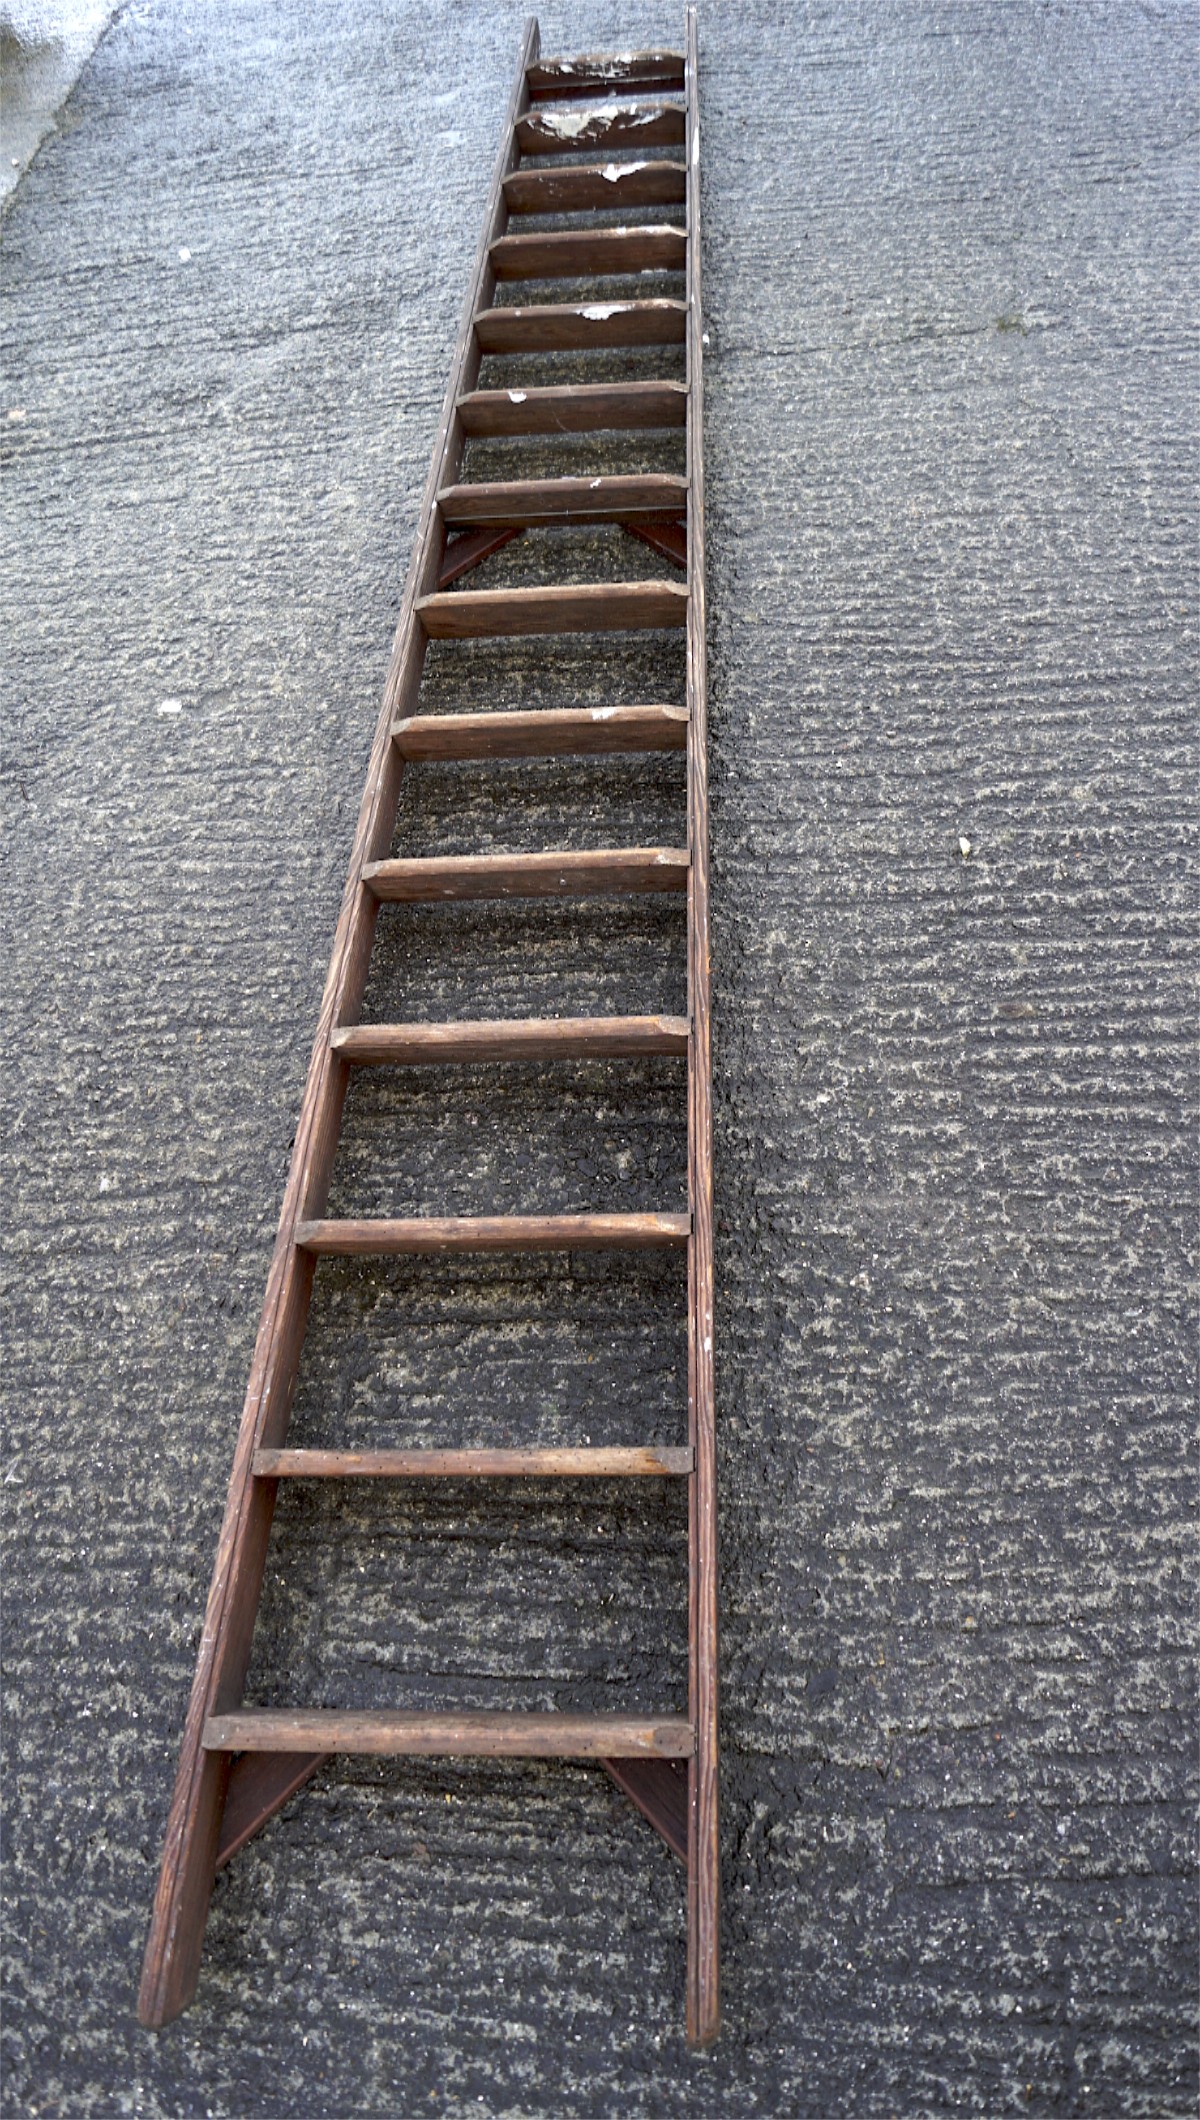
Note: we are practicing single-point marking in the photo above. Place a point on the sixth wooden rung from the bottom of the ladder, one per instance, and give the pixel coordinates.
(550, 732)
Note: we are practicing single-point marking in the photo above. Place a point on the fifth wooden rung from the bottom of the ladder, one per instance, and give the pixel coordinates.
(529, 877)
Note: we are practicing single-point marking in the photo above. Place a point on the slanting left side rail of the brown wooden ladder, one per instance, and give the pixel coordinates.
(194, 1824)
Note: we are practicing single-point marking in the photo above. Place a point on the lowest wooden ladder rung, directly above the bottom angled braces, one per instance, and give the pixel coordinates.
(516, 1737)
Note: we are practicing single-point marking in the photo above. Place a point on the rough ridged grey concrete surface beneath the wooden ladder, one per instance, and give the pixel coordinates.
(949, 283)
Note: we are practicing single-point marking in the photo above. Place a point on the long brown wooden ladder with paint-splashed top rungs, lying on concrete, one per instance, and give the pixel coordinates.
(582, 137)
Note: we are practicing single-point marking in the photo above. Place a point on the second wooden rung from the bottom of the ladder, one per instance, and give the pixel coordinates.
(648, 1464)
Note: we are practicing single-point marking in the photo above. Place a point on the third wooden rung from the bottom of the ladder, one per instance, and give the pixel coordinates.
(493, 1233)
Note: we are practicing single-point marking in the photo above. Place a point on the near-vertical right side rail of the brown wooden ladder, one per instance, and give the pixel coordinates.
(703, 1826)
